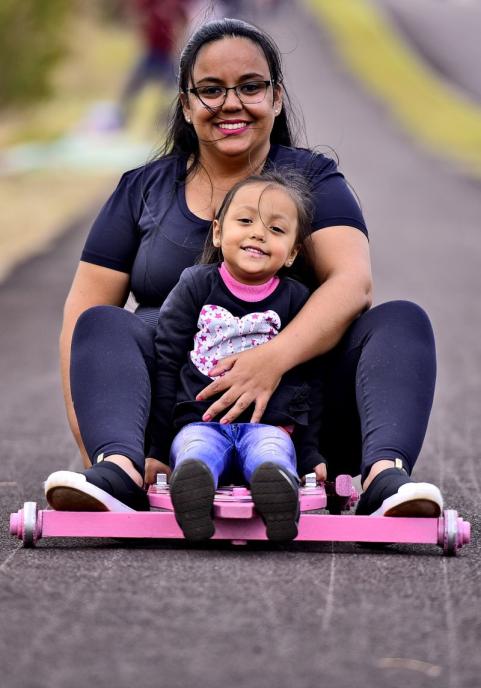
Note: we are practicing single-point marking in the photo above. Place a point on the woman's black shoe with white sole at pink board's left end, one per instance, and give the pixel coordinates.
(104, 487)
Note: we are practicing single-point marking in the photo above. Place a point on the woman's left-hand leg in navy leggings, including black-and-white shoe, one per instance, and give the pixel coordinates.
(112, 365)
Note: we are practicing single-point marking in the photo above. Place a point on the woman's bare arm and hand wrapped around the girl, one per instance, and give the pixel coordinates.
(340, 256)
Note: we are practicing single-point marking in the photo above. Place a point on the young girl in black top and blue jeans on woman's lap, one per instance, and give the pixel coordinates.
(219, 309)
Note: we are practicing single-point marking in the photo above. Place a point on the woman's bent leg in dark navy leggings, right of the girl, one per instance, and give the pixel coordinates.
(379, 386)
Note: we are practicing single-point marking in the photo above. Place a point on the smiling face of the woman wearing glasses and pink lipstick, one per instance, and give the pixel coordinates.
(234, 128)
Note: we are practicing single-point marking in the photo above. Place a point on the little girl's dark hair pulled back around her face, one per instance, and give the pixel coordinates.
(292, 183)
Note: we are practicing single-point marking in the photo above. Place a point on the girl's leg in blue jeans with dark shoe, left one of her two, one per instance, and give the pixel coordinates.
(200, 453)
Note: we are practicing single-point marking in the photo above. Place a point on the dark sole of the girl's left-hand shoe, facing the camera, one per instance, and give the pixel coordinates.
(192, 490)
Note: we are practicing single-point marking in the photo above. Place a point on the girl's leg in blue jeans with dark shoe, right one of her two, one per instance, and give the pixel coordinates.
(267, 457)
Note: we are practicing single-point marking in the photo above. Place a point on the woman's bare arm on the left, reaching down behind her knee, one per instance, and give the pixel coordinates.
(93, 285)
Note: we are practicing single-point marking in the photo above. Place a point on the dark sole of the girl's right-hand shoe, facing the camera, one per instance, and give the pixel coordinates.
(275, 494)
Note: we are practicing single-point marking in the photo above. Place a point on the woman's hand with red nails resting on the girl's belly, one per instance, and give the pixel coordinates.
(245, 378)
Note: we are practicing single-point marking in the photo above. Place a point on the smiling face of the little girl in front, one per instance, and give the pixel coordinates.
(258, 234)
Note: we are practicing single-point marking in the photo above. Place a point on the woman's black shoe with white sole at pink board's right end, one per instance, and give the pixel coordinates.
(393, 493)
